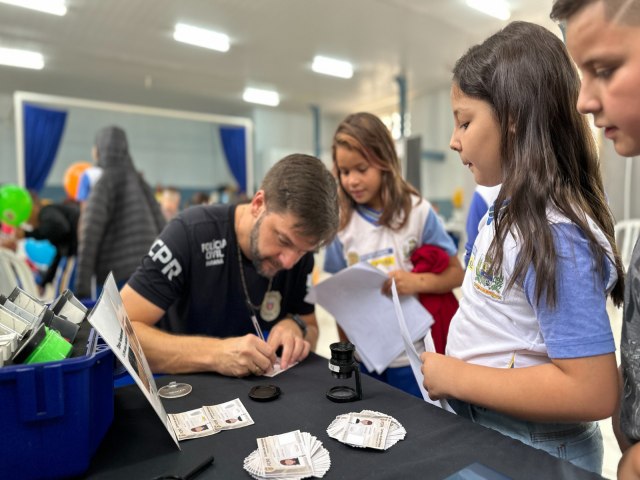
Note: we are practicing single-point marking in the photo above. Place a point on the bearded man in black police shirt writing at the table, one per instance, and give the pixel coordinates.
(219, 274)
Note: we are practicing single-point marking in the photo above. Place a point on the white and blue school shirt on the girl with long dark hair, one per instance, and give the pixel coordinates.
(504, 328)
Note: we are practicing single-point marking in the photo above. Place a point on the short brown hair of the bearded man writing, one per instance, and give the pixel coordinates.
(301, 185)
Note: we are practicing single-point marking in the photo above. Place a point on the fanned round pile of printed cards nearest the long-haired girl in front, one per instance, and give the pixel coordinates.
(367, 429)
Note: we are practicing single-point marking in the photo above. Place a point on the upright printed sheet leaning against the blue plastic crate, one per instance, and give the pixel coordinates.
(111, 321)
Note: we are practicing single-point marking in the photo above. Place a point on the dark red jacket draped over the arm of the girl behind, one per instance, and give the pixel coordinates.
(441, 306)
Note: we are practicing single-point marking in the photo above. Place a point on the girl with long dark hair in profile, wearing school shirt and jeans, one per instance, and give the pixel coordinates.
(530, 350)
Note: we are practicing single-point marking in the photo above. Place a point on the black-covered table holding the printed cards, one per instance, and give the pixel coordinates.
(437, 443)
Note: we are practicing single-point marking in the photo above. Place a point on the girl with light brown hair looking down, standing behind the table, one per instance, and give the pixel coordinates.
(383, 220)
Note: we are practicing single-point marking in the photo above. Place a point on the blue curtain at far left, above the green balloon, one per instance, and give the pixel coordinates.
(43, 129)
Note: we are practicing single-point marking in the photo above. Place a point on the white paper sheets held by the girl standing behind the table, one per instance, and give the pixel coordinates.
(367, 316)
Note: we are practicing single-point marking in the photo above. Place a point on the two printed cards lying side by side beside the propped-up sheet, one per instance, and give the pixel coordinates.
(210, 419)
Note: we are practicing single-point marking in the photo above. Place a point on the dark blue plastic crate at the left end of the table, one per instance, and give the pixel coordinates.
(54, 415)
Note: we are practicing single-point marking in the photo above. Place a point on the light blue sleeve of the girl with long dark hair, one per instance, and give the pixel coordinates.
(579, 324)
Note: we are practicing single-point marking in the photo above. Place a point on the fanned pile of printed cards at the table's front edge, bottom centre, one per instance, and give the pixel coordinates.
(293, 455)
